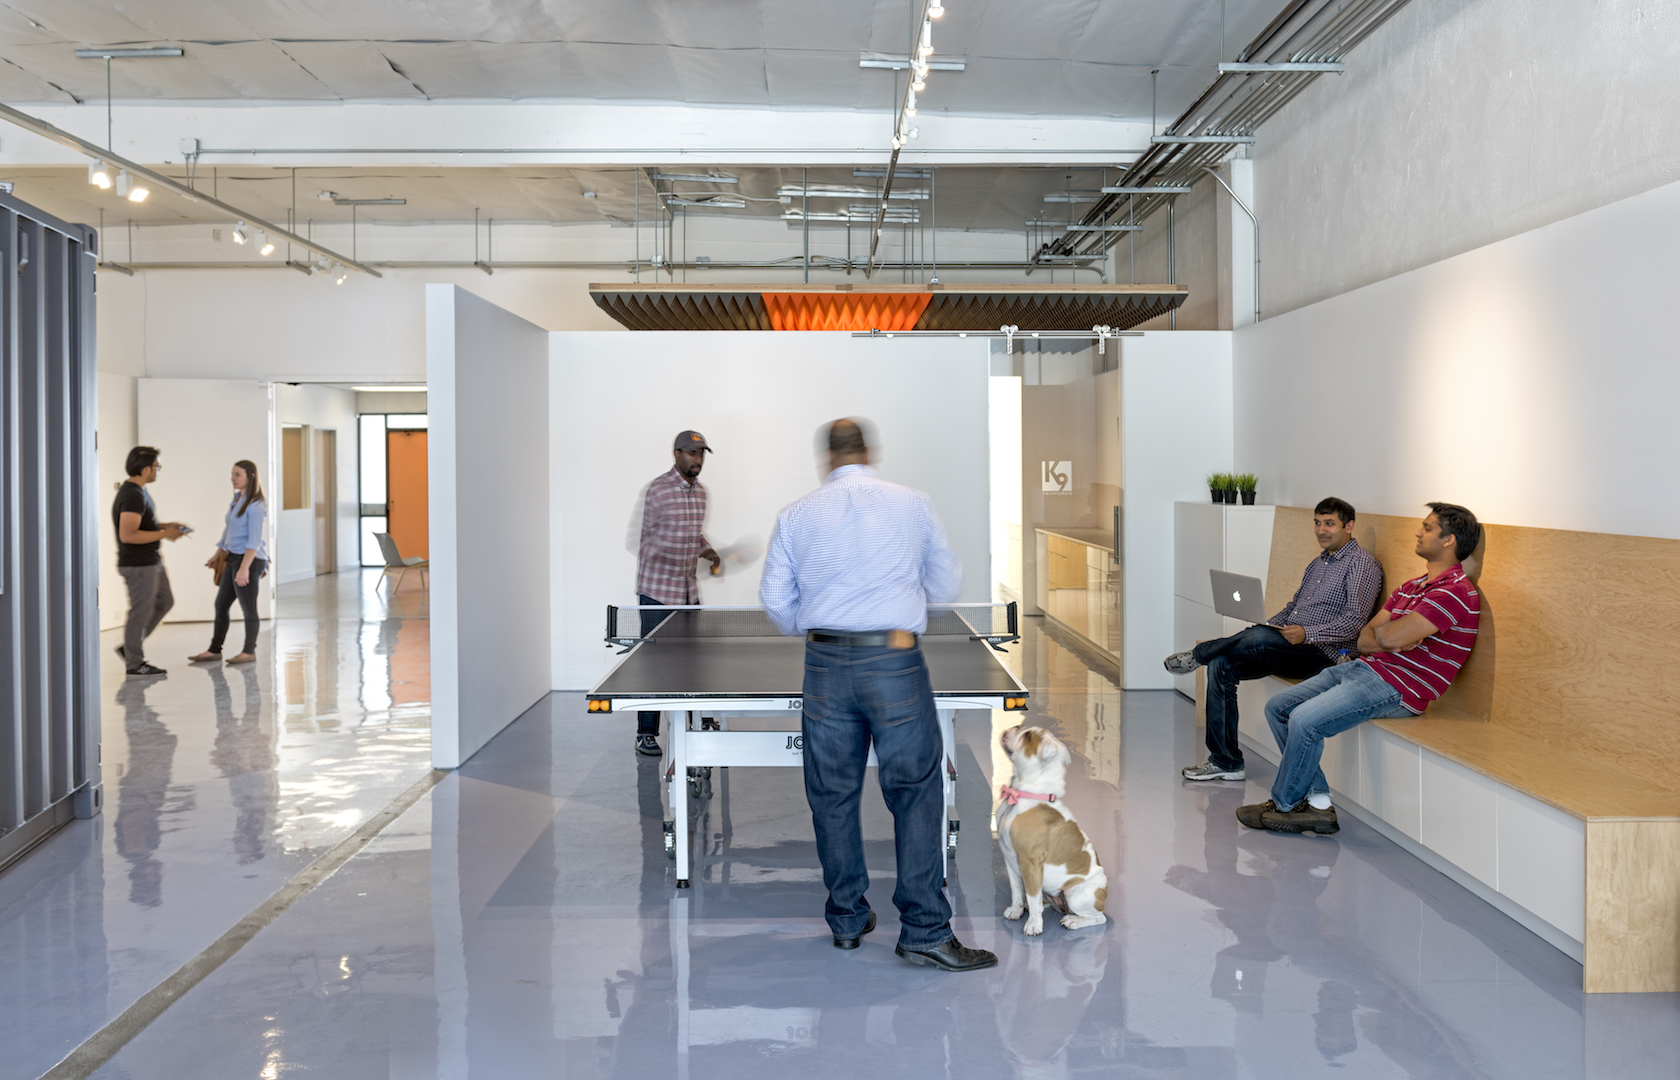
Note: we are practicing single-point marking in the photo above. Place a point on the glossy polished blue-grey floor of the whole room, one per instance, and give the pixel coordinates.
(522, 921)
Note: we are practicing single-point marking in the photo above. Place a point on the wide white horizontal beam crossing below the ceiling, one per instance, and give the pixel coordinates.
(567, 134)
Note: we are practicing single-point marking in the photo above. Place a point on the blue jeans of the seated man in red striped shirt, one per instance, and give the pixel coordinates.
(1305, 716)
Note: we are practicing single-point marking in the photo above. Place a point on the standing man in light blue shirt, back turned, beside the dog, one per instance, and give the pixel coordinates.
(853, 569)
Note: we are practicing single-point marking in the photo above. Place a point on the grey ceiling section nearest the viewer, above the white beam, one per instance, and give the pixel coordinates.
(1049, 58)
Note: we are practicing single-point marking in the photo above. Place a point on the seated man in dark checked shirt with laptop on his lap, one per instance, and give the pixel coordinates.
(1338, 595)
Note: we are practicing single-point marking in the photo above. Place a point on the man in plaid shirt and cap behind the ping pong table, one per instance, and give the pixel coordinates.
(673, 545)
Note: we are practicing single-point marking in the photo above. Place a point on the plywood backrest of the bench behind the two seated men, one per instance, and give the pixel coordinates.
(1588, 626)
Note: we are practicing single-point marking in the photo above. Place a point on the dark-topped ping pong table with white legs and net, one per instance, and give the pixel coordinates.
(706, 664)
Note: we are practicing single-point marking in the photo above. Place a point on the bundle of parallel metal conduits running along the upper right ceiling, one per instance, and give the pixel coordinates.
(1236, 103)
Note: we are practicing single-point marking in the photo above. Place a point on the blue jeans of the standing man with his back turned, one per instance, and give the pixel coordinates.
(854, 696)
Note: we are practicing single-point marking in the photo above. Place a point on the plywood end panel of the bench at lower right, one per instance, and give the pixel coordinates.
(1632, 908)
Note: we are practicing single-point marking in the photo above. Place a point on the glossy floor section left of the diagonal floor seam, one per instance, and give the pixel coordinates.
(221, 785)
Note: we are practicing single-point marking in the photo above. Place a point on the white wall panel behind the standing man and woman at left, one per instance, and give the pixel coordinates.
(202, 427)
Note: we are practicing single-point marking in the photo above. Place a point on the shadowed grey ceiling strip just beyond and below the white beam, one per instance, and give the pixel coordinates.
(980, 199)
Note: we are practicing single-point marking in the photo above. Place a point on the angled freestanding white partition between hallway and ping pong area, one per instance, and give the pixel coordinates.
(490, 522)
